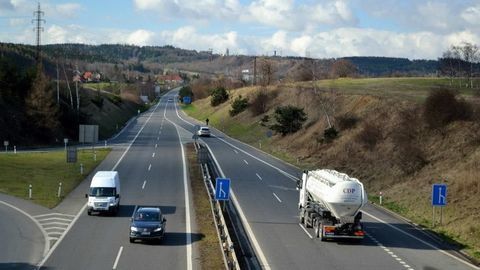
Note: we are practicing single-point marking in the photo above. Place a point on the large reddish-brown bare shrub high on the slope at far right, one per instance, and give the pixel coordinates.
(442, 107)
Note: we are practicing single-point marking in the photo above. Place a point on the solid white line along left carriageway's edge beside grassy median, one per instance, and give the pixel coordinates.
(187, 198)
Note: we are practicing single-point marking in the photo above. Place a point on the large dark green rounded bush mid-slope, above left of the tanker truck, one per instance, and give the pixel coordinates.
(289, 119)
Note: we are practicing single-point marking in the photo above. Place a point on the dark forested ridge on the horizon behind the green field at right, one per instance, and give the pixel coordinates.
(390, 66)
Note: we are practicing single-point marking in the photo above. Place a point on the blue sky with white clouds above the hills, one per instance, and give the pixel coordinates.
(319, 28)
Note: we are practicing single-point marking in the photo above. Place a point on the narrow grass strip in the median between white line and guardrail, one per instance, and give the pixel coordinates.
(210, 254)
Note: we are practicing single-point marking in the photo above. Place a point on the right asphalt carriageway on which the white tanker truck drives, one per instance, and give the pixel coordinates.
(264, 187)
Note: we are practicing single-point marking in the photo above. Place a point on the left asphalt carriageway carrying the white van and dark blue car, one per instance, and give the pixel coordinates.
(151, 174)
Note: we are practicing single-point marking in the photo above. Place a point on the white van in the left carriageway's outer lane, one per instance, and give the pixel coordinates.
(104, 193)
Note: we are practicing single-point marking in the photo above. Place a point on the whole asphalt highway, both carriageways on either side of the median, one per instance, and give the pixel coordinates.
(148, 156)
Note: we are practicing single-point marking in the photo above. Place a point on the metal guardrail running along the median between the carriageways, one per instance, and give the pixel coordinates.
(226, 243)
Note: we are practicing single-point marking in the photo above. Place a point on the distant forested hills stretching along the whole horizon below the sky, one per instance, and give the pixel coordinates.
(139, 57)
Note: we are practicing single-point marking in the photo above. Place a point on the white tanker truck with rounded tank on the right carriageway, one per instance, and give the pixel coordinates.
(330, 202)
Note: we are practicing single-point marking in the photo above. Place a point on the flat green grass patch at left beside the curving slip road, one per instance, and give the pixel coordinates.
(44, 171)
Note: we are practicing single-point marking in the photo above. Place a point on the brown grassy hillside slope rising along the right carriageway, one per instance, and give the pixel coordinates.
(383, 140)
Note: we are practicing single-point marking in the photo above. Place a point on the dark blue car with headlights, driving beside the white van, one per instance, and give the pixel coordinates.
(147, 223)
